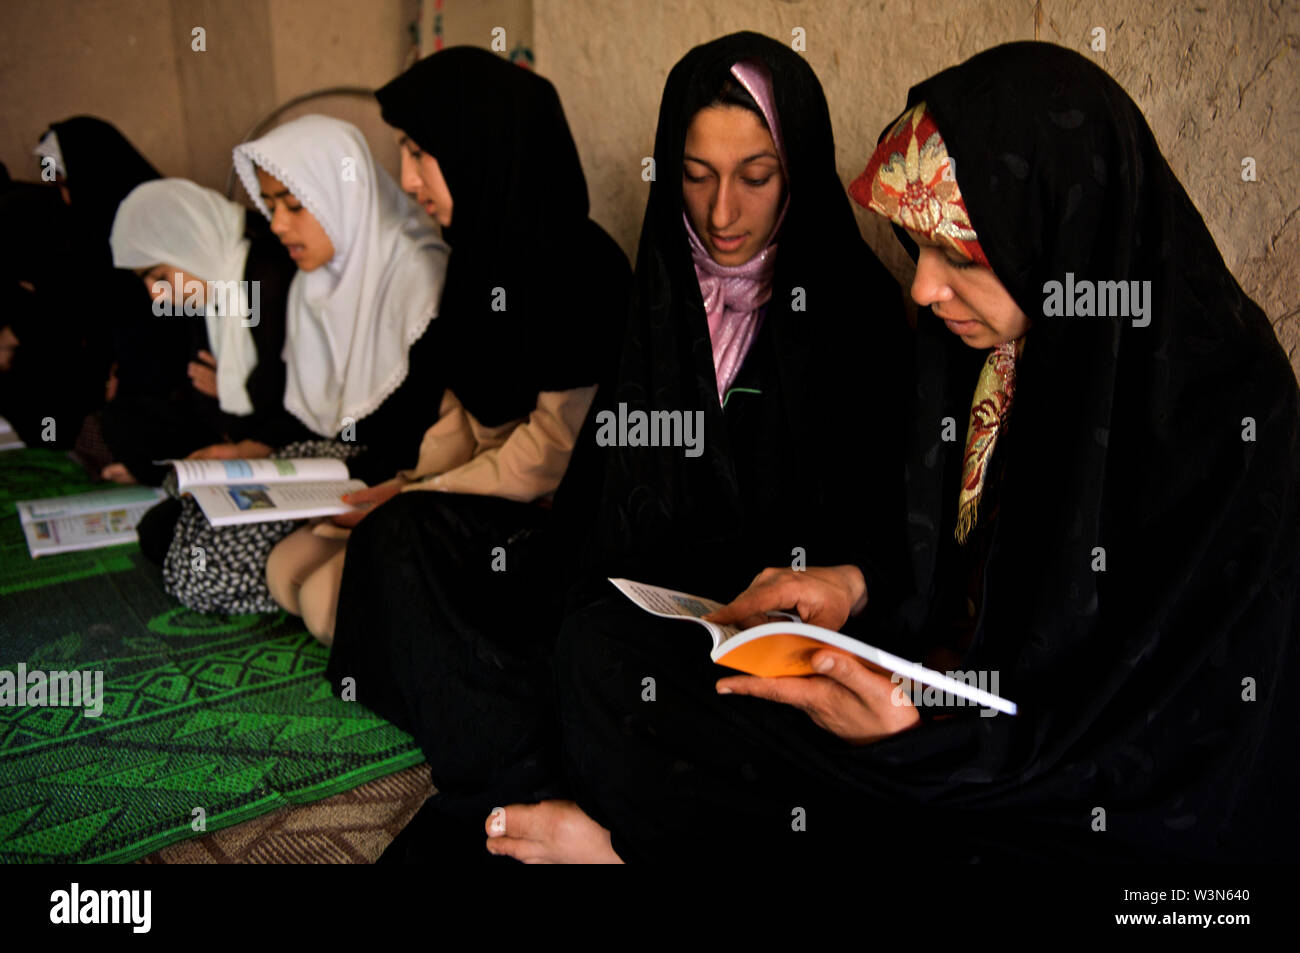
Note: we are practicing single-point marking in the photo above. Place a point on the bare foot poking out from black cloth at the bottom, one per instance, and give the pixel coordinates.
(549, 833)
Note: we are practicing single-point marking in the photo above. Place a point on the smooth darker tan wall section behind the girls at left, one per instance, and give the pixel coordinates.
(132, 63)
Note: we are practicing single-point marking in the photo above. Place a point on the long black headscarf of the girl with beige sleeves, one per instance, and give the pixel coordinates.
(535, 289)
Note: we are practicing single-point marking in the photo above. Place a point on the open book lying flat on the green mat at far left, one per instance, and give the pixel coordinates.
(85, 521)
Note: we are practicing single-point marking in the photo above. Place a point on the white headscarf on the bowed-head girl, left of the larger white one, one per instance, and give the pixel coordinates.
(174, 222)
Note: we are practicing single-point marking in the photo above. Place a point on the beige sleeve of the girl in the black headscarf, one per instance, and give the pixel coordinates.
(525, 460)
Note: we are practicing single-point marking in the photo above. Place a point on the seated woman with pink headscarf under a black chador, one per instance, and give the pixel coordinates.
(756, 309)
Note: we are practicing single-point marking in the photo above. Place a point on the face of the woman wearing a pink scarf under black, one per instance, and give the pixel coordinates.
(731, 183)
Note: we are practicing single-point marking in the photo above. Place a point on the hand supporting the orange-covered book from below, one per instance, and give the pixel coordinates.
(848, 700)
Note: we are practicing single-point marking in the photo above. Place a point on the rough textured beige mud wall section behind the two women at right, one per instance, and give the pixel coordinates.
(1217, 81)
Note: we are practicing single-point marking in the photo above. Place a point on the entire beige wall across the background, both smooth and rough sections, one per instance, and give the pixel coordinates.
(1217, 81)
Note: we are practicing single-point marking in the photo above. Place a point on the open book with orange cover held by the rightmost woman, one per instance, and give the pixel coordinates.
(787, 647)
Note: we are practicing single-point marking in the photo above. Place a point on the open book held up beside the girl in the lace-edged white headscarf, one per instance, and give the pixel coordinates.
(233, 492)
